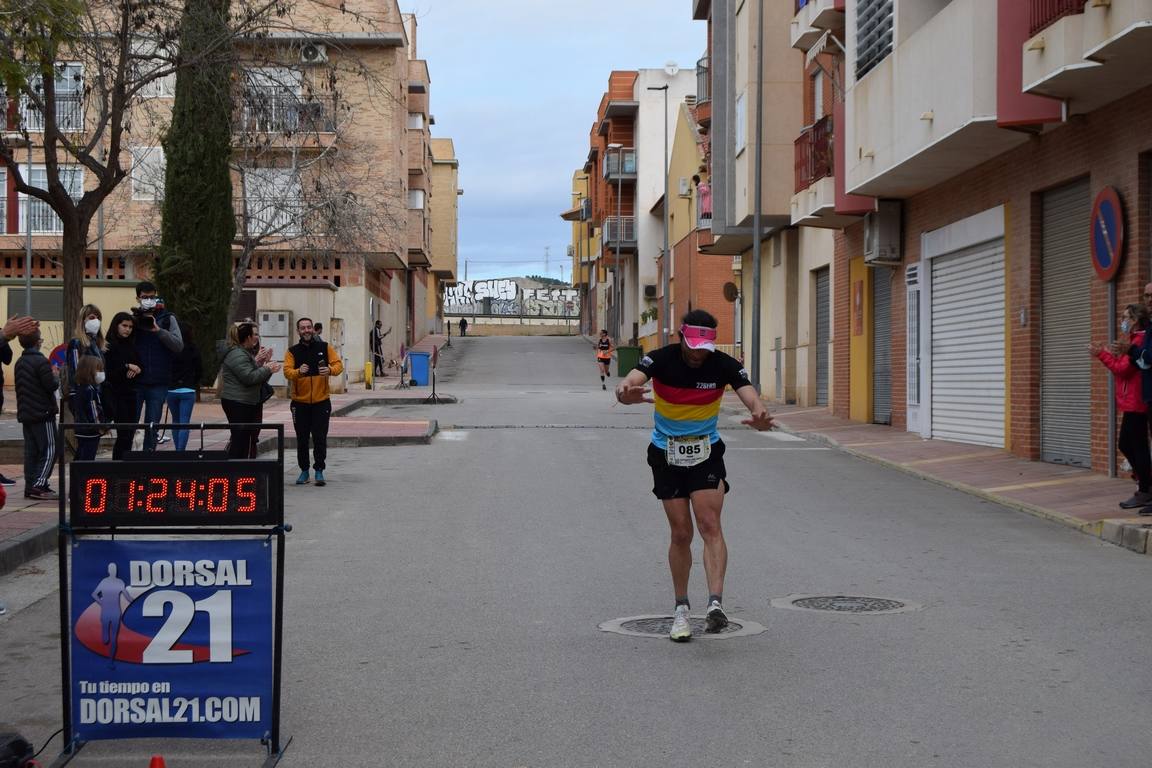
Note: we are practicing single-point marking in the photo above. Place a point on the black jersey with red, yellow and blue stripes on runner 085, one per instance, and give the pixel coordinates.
(687, 399)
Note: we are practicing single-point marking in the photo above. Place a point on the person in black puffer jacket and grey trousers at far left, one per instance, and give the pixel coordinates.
(36, 410)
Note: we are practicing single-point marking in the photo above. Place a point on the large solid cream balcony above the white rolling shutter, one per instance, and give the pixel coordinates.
(928, 111)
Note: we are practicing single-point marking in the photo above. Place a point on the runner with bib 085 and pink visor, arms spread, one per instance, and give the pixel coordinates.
(687, 454)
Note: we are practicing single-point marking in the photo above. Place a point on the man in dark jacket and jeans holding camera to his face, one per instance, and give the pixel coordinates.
(158, 341)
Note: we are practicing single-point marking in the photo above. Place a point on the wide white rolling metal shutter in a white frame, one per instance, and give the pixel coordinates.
(968, 346)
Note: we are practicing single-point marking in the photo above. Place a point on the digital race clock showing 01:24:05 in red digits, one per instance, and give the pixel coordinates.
(234, 492)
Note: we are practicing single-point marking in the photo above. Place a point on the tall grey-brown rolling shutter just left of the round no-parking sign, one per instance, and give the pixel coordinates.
(1066, 328)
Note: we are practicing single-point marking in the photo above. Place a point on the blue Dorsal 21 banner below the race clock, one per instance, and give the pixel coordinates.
(172, 638)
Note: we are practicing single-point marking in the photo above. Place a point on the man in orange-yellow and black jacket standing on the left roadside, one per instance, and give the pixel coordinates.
(308, 367)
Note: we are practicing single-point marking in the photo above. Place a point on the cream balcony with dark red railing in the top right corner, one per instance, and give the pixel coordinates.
(1092, 56)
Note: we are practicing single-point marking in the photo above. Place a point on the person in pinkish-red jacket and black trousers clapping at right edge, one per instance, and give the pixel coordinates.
(1134, 425)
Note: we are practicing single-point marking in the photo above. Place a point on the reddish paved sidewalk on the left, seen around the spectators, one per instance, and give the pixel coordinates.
(28, 529)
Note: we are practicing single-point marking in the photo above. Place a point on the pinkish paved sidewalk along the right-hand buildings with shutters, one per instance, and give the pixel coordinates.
(1078, 498)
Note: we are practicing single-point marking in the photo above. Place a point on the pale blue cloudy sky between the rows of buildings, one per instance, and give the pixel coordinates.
(516, 85)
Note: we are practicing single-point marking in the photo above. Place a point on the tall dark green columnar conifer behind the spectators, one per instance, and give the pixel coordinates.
(194, 269)
